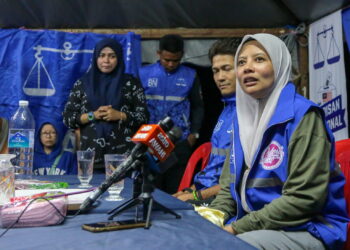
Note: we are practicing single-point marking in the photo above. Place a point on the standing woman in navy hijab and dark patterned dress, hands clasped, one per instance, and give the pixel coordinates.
(107, 105)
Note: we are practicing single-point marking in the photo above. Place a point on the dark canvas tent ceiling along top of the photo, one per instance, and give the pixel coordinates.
(156, 14)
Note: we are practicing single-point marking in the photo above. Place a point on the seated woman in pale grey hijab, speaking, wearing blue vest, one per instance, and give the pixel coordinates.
(281, 188)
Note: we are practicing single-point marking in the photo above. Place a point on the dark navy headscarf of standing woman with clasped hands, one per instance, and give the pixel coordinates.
(104, 89)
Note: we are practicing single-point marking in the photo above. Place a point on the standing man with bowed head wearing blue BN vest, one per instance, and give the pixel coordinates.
(173, 89)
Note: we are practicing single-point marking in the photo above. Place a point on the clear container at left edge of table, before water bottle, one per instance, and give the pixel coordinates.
(7, 178)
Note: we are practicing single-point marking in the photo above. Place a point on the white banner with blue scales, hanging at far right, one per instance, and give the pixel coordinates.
(327, 72)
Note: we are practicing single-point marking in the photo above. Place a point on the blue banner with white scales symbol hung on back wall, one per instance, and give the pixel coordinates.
(42, 66)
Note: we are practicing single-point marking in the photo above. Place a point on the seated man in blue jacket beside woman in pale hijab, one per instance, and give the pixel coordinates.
(206, 182)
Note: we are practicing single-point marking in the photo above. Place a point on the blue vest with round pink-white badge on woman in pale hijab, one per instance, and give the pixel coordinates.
(269, 171)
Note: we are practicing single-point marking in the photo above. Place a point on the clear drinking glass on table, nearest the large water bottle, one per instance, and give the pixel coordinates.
(85, 167)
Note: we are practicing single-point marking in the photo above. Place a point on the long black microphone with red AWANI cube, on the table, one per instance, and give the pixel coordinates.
(150, 137)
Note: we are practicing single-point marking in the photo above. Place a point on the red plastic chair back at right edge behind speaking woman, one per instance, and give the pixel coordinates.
(342, 156)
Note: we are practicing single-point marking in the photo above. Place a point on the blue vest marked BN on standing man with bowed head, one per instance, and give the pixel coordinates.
(167, 94)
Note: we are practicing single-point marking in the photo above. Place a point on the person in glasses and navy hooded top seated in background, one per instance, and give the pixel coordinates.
(53, 152)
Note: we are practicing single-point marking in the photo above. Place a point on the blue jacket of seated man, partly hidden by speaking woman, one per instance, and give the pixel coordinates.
(220, 141)
